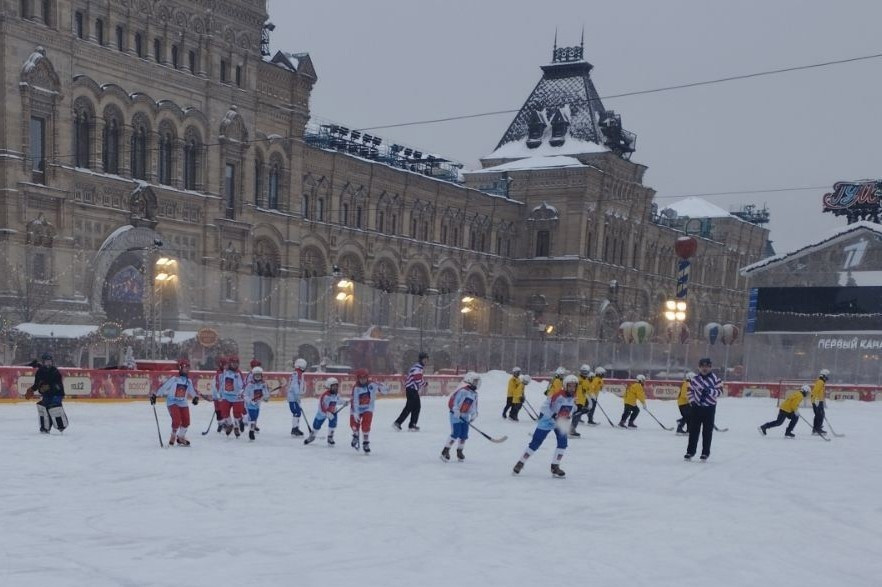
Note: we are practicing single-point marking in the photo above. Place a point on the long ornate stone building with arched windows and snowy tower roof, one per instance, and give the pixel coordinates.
(158, 170)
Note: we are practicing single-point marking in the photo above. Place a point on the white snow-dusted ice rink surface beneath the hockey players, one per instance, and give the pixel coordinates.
(103, 505)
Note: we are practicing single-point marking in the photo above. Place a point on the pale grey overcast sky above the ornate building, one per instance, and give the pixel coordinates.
(392, 61)
